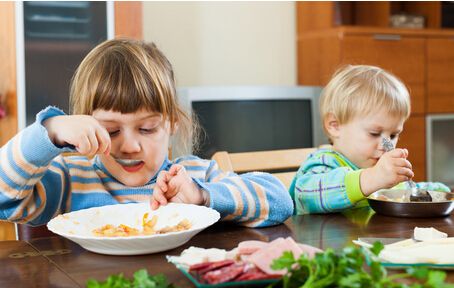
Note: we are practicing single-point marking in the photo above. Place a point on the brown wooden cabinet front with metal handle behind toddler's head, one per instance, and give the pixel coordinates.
(403, 56)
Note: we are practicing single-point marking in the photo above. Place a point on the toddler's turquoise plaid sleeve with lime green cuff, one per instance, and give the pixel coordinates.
(321, 186)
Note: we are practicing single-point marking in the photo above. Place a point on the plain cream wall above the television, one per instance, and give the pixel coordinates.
(225, 43)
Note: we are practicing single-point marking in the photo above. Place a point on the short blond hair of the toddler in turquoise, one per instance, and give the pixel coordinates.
(357, 90)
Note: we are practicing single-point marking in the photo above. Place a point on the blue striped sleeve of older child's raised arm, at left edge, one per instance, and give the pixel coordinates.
(32, 183)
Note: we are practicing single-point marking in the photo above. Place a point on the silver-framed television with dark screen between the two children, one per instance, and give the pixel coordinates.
(243, 119)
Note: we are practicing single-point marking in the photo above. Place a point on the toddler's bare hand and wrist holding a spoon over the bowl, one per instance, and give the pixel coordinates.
(391, 169)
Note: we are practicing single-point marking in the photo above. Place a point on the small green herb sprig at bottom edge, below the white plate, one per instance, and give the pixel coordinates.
(141, 280)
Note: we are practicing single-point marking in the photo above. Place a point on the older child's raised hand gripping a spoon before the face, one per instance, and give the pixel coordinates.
(82, 131)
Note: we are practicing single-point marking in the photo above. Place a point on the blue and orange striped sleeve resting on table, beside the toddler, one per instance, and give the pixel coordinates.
(253, 199)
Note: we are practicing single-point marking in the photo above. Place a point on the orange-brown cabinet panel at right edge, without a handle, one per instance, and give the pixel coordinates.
(440, 76)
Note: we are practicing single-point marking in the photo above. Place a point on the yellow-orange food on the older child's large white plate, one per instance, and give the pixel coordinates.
(122, 230)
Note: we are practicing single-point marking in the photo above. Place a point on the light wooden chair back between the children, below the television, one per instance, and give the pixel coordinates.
(281, 163)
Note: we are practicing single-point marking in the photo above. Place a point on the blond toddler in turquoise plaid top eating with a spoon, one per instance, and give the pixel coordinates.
(360, 106)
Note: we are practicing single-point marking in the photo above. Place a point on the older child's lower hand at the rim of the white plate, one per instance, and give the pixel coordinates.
(175, 185)
